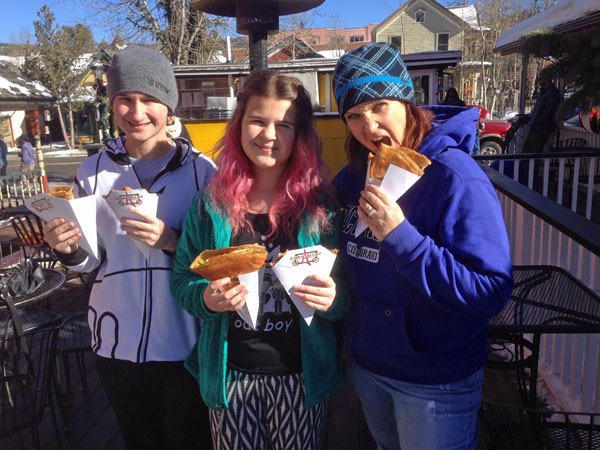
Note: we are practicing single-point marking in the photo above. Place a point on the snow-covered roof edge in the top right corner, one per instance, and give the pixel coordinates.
(565, 16)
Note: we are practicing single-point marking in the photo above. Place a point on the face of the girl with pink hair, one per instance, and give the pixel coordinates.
(268, 131)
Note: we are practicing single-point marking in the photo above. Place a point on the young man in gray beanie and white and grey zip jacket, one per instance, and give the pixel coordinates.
(139, 334)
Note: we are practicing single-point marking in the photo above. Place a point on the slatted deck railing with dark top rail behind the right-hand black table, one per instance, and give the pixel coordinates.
(541, 231)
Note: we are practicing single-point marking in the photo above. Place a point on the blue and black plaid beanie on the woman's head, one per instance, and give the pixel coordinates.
(370, 72)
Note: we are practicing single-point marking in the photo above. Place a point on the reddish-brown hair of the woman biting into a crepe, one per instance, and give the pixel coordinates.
(418, 124)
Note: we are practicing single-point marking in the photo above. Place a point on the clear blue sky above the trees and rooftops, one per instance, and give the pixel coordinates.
(16, 15)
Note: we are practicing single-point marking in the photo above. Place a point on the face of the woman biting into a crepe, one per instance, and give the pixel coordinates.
(376, 121)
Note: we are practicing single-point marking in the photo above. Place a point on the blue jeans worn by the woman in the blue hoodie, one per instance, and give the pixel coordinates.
(417, 416)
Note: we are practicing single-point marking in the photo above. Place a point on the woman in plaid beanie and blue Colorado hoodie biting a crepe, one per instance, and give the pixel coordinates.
(431, 269)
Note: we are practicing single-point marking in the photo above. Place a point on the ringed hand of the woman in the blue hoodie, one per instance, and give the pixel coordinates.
(380, 213)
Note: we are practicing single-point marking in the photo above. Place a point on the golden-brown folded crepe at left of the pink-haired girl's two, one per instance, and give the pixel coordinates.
(229, 262)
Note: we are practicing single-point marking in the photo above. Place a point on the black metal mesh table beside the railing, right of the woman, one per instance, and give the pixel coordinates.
(545, 299)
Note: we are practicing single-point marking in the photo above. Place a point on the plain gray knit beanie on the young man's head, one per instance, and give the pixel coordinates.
(141, 69)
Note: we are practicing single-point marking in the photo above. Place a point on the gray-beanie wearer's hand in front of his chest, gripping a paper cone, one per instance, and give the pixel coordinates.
(150, 231)
